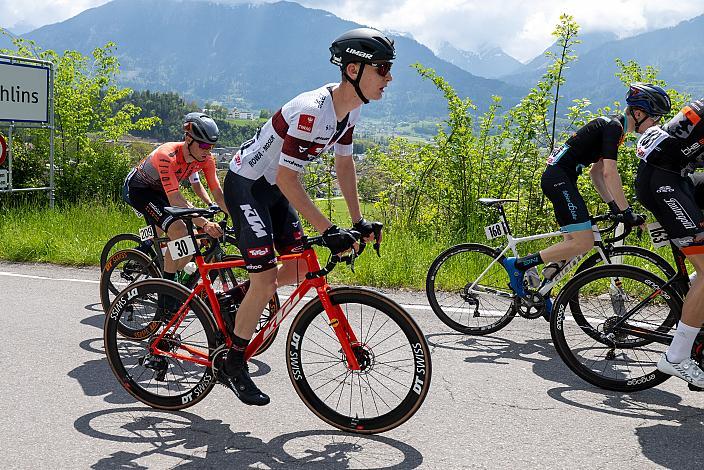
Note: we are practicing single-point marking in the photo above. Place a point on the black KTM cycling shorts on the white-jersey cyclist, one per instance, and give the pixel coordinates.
(263, 219)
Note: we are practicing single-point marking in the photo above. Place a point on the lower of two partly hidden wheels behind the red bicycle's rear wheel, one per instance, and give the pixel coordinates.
(131, 266)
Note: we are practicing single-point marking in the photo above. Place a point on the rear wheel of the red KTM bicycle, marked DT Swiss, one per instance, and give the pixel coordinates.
(142, 373)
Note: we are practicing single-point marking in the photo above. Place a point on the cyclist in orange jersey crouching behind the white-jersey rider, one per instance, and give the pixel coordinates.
(154, 183)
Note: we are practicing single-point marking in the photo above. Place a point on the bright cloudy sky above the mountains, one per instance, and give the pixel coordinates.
(521, 28)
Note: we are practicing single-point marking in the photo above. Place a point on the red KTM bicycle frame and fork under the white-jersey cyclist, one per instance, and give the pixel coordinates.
(337, 319)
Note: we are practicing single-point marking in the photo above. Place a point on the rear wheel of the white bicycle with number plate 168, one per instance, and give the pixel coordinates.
(452, 303)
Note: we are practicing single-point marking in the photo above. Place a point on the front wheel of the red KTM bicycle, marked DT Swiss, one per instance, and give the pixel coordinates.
(391, 350)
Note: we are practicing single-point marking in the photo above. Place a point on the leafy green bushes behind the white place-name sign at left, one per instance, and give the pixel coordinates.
(88, 123)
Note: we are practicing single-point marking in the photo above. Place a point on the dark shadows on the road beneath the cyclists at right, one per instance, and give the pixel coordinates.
(673, 442)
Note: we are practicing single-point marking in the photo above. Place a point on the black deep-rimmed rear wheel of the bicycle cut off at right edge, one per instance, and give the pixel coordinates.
(594, 360)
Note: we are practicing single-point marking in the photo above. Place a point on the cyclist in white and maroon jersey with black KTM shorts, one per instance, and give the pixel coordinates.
(263, 192)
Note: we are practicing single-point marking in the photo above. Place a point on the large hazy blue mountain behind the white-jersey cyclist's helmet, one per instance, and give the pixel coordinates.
(253, 56)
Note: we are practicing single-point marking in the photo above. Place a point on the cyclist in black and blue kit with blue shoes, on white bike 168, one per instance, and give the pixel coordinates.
(595, 144)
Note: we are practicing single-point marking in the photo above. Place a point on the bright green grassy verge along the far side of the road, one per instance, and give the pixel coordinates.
(75, 235)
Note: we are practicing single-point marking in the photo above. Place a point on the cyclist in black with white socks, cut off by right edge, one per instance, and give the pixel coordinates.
(669, 154)
